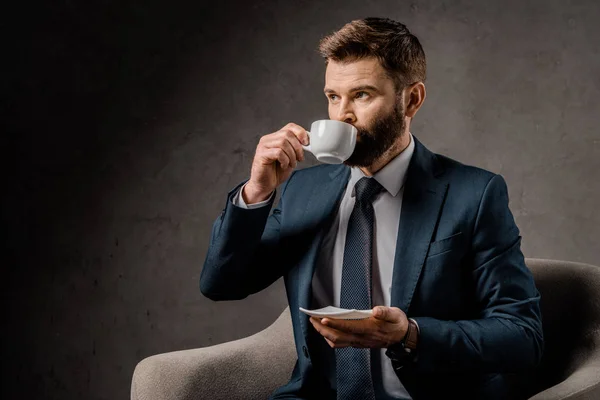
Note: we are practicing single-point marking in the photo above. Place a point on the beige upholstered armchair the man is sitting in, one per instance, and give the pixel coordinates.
(251, 368)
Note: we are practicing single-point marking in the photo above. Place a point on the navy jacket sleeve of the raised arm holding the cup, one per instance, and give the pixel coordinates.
(243, 255)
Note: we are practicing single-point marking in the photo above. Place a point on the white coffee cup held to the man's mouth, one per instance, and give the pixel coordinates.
(331, 141)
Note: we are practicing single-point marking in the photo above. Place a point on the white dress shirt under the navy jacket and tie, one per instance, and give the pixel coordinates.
(327, 278)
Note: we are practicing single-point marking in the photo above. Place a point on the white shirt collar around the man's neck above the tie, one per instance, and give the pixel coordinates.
(393, 175)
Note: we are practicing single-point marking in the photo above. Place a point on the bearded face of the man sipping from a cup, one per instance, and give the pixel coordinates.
(360, 93)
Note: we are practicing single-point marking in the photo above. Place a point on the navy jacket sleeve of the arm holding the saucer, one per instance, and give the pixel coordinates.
(507, 336)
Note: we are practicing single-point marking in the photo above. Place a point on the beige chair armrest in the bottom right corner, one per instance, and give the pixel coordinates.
(582, 384)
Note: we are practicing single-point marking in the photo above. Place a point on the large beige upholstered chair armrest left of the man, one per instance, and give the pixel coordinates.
(248, 368)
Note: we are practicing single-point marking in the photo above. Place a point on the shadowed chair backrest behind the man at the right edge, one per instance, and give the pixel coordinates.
(570, 303)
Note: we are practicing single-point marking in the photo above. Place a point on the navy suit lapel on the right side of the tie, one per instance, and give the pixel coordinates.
(424, 194)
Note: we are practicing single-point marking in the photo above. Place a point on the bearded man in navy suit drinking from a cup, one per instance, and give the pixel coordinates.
(426, 242)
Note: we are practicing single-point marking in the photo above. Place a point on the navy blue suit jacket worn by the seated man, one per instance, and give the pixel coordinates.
(458, 271)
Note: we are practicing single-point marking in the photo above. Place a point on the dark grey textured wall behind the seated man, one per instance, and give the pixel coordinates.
(128, 122)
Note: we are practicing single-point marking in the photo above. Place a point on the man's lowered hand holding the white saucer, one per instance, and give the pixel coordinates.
(387, 326)
